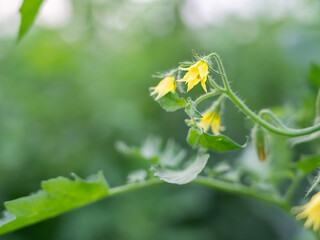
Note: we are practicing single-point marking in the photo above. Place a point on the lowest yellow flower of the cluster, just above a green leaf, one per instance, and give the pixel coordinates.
(210, 119)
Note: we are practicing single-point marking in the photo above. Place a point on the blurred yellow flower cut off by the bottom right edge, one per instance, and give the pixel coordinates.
(311, 211)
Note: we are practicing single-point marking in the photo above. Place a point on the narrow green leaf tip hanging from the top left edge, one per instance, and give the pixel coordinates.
(29, 11)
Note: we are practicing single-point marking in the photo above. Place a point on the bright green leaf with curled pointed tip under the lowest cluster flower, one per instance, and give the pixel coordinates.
(218, 143)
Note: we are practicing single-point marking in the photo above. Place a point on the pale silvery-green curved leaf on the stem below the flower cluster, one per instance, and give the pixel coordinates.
(183, 176)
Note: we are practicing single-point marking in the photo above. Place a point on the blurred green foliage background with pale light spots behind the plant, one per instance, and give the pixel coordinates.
(79, 81)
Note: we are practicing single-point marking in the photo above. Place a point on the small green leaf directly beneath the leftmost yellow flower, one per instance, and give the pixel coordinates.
(171, 102)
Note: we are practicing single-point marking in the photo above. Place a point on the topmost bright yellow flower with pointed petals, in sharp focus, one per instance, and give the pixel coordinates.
(197, 73)
